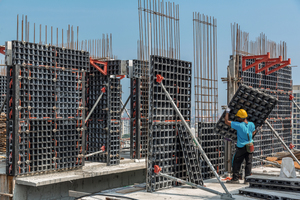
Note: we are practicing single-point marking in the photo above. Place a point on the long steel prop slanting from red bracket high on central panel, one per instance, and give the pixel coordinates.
(159, 79)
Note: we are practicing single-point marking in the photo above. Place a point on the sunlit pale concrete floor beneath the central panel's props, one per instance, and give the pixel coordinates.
(179, 193)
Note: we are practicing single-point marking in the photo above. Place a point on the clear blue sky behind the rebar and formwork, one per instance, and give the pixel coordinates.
(278, 19)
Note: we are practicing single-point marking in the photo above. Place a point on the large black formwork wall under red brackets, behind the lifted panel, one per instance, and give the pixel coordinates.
(278, 85)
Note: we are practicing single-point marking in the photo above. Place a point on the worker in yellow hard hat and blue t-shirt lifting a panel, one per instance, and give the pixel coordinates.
(245, 133)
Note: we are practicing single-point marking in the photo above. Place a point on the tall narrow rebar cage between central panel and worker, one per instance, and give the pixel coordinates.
(205, 68)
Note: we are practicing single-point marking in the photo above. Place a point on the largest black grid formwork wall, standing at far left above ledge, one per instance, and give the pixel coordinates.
(45, 119)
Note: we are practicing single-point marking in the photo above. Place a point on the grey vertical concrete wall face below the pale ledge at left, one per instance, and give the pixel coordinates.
(91, 185)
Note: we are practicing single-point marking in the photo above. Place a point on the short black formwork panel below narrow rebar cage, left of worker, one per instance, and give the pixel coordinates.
(213, 146)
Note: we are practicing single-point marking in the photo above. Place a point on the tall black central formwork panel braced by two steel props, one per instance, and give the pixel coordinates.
(164, 148)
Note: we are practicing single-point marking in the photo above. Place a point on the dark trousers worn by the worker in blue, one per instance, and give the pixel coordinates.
(239, 156)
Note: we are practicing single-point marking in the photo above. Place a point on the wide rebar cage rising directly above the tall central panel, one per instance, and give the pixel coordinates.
(159, 30)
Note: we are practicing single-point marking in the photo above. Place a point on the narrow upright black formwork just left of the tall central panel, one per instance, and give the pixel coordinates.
(139, 109)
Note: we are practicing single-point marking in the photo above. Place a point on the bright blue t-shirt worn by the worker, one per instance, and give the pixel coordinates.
(242, 129)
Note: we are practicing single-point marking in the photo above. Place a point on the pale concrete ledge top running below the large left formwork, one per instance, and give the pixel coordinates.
(88, 171)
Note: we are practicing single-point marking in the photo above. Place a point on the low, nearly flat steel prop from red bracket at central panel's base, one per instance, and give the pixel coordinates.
(157, 170)
